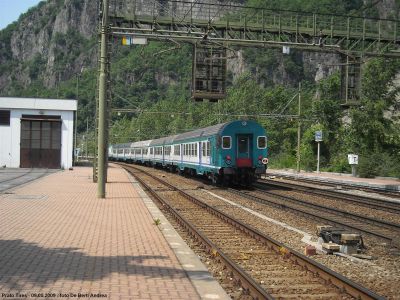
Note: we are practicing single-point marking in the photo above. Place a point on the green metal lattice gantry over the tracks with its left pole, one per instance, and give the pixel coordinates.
(227, 23)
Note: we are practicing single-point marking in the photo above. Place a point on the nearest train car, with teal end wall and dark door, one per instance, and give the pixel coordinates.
(233, 152)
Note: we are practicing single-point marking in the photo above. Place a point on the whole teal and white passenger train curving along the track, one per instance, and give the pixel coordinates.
(228, 153)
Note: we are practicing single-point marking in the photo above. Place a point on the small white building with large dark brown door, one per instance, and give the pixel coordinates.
(36, 133)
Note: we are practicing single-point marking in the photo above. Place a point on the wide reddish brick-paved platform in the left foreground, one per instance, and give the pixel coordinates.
(57, 240)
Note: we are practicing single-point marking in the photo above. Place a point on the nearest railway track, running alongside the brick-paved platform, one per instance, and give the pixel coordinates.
(265, 268)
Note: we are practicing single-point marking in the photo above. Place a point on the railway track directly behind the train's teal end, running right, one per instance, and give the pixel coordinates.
(376, 227)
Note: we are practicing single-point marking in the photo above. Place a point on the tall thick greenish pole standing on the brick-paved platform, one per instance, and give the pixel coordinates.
(101, 183)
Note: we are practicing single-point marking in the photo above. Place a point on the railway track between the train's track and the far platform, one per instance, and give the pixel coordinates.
(376, 203)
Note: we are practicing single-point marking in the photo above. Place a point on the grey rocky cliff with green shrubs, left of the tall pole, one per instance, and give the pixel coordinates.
(40, 38)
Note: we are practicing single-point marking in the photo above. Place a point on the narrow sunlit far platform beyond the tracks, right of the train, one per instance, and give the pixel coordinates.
(385, 184)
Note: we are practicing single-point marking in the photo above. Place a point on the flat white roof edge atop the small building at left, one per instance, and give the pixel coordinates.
(38, 103)
